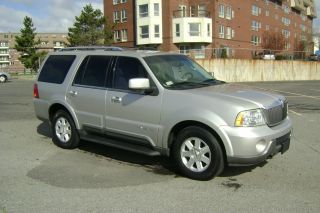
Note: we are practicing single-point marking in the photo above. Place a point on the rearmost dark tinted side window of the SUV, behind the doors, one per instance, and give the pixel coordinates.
(56, 68)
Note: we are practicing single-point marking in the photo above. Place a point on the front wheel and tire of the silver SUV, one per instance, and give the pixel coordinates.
(198, 154)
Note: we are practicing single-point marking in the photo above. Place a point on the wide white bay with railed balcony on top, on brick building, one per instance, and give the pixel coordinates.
(191, 26)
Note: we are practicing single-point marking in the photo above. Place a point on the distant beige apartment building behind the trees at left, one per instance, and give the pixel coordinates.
(9, 56)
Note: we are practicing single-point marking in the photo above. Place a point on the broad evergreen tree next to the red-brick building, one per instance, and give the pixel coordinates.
(90, 28)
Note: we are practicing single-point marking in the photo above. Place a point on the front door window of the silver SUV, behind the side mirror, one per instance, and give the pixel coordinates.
(126, 69)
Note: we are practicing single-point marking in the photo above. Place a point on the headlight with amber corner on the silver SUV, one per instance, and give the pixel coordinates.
(250, 118)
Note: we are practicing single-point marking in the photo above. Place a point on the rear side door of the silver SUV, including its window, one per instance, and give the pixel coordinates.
(88, 91)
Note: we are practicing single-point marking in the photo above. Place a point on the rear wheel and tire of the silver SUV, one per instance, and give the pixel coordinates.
(64, 131)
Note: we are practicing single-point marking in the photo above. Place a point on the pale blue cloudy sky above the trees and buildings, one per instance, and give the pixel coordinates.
(53, 15)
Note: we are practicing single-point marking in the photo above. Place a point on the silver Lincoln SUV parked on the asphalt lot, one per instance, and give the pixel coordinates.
(157, 103)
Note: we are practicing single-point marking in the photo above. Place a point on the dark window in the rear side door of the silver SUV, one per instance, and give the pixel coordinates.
(92, 71)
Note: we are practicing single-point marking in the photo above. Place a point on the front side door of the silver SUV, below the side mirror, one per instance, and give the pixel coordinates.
(130, 113)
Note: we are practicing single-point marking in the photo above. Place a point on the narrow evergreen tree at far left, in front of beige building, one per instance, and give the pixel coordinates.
(26, 44)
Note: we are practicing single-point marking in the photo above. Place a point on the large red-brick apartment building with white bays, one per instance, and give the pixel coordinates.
(202, 25)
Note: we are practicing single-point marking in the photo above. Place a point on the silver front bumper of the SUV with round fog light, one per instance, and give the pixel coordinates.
(254, 145)
